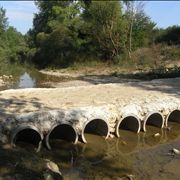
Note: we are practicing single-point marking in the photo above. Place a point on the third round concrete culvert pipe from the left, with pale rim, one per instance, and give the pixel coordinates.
(96, 126)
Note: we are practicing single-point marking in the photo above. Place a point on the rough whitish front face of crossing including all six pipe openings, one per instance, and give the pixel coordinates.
(72, 124)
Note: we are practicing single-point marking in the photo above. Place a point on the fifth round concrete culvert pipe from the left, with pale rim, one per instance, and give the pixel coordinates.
(153, 119)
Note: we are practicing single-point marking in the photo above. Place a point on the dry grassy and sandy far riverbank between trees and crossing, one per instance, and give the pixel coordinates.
(112, 74)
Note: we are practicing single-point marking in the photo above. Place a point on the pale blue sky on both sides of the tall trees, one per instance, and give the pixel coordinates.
(20, 13)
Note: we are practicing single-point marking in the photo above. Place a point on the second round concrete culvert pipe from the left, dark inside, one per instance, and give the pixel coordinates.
(62, 131)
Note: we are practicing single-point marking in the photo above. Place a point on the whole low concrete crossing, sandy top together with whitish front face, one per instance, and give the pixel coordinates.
(110, 105)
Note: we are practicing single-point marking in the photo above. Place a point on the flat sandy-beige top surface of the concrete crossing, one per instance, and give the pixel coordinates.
(28, 100)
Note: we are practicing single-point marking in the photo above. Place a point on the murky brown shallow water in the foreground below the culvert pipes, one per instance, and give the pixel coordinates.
(137, 154)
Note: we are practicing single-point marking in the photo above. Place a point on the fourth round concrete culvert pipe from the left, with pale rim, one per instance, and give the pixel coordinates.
(129, 122)
